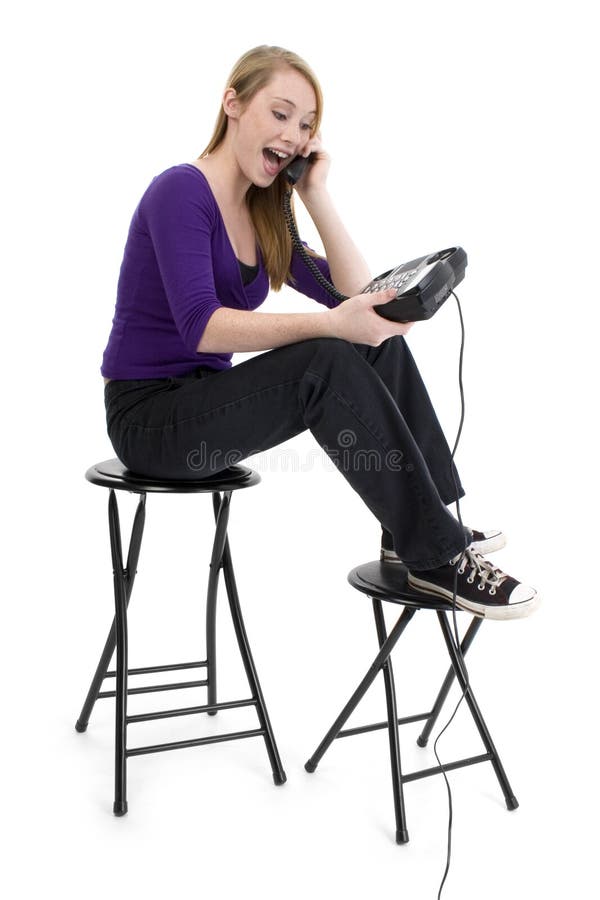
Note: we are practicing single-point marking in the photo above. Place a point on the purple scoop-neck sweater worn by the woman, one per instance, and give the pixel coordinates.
(178, 267)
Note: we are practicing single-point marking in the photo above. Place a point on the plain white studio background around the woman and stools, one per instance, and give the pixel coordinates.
(448, 123)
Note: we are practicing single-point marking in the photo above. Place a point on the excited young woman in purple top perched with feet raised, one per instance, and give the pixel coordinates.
(206, 243)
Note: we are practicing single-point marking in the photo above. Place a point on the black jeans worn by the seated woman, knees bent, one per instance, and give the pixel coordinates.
(366, 406)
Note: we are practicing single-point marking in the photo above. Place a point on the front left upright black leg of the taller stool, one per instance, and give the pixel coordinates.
(120, 586)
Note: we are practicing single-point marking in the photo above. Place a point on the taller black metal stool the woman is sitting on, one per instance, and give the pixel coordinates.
(113, 475)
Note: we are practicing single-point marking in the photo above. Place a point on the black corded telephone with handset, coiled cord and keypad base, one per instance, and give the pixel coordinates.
(421, 285)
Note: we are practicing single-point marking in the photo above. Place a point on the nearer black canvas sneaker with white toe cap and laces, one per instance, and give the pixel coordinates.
(482, 589)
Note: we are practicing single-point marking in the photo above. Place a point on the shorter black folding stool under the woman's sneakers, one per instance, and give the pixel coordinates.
(387, 581)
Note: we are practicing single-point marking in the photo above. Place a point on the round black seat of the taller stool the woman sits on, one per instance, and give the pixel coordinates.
(112, 473)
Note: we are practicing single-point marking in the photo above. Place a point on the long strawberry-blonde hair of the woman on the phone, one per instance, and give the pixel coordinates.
(250, 74)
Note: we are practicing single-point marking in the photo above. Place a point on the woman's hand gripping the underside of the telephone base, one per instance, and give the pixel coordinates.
(356, 321)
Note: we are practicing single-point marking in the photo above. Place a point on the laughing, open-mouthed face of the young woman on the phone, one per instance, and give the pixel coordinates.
(279, 117)
